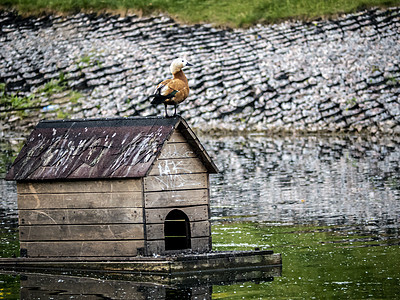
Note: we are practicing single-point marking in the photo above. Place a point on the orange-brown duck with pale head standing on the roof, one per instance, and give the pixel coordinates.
(175, 90)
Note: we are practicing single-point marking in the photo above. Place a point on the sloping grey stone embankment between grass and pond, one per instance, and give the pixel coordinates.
(340, 75)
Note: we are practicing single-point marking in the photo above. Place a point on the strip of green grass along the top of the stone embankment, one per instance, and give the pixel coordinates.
(234, 13)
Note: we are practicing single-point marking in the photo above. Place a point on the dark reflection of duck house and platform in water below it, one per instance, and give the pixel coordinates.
(113, 286)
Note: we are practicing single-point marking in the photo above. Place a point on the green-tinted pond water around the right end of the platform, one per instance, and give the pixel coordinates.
(318, 262)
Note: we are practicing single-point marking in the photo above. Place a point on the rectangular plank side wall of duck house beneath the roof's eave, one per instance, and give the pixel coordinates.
(81, 218)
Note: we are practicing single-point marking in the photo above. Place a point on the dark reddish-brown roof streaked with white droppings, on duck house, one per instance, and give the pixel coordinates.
(98, 148)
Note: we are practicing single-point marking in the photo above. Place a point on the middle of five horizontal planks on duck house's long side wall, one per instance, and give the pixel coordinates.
(80, 216)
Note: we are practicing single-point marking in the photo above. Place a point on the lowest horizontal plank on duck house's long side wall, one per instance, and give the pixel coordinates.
(82, 248)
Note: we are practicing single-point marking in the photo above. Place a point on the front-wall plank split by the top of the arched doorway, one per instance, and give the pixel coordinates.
(194, 213)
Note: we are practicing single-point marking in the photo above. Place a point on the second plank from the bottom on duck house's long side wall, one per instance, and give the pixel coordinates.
(81, 232)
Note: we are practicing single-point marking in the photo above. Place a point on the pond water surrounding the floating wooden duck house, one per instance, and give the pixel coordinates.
(329, 204)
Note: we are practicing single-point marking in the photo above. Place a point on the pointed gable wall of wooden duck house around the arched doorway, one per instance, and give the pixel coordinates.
(178, 180)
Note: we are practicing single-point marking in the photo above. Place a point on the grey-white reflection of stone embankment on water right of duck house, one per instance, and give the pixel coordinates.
(303, 180)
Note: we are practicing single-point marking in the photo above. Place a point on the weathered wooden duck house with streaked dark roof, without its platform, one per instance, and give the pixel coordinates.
(113, 187)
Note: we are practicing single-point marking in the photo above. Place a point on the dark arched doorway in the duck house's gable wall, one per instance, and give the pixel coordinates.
(177, 231)
